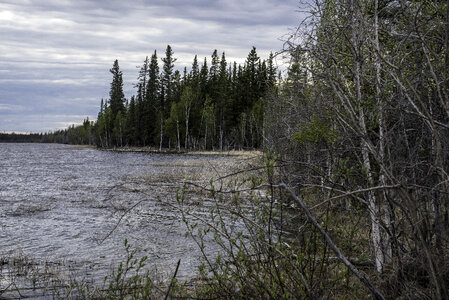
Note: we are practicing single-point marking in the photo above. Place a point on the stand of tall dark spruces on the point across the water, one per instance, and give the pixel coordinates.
(216, 106)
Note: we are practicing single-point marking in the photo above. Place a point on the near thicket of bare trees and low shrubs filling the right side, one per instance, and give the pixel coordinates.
(356, 141)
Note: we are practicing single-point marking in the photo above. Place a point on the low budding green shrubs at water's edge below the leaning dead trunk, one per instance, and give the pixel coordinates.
(256, 244)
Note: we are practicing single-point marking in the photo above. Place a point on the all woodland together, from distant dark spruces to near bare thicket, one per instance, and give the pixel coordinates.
(356, 136)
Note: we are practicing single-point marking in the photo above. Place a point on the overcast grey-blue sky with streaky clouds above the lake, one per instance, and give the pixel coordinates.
(55, 55)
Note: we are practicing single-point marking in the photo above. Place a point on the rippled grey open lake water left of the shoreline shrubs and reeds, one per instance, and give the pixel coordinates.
(58, 203)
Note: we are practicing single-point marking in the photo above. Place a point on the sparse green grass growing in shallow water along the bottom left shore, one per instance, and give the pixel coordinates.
(24, 277)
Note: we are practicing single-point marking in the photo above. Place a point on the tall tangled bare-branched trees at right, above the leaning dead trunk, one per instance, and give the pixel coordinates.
(367, 98)
